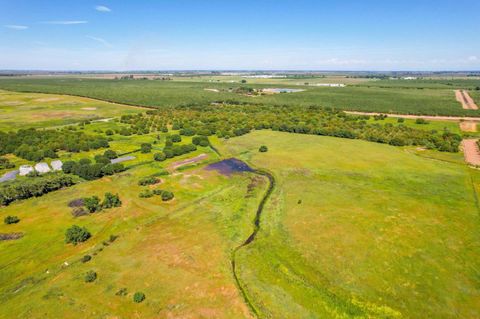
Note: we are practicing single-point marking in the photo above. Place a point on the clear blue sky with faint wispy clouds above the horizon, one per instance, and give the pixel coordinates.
(228, 34)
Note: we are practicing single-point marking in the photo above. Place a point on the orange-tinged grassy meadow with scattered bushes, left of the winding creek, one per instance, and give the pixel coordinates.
(177, 252)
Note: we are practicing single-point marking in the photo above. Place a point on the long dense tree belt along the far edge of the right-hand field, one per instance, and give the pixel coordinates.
(235, 120)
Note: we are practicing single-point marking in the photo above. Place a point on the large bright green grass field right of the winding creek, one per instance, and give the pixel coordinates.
(361, 229)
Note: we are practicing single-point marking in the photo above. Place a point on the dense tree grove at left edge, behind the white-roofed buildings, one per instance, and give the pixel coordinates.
(35, 145)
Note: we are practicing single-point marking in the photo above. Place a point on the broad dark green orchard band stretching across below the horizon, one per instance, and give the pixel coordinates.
(432, 101)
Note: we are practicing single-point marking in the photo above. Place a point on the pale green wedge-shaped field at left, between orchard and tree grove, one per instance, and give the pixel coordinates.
(19, 110)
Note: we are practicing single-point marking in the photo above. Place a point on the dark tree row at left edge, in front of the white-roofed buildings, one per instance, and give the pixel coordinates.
(33, 187)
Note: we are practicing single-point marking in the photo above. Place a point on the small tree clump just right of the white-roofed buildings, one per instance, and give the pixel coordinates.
(90, 171)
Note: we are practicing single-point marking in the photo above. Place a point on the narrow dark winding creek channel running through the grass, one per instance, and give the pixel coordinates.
(251, 238)
